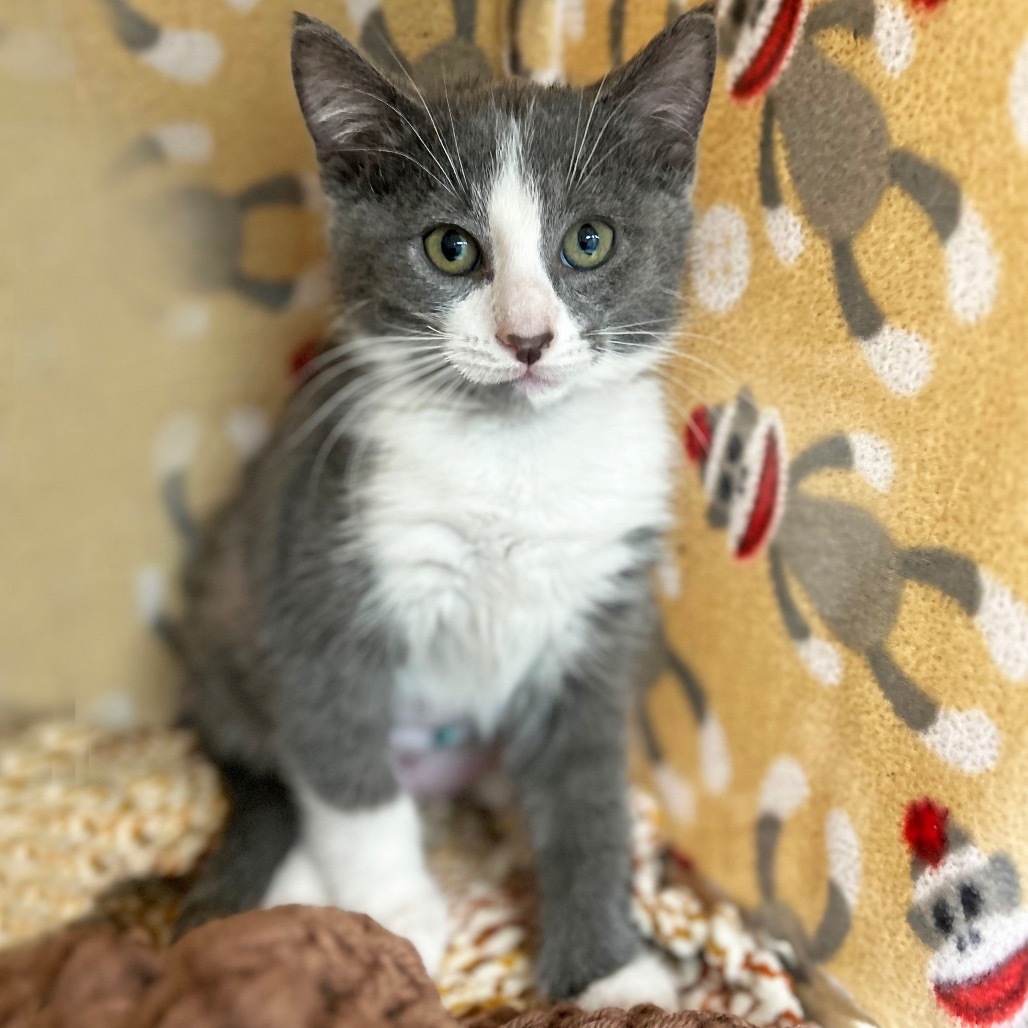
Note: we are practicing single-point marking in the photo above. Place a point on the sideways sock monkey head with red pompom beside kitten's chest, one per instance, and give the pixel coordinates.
(742, 456)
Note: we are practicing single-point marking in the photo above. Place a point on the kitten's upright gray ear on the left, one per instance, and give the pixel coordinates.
(347, 103)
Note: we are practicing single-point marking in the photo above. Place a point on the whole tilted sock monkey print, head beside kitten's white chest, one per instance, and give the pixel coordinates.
(852, 571)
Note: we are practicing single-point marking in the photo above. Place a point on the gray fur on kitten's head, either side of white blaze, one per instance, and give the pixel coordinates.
(639, 181)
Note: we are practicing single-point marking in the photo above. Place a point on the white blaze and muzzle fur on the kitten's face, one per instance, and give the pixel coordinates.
(519, 301)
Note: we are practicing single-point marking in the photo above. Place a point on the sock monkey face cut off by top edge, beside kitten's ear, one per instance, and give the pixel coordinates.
(758, 38)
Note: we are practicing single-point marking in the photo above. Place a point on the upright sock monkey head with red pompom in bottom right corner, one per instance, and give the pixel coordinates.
(967, 909)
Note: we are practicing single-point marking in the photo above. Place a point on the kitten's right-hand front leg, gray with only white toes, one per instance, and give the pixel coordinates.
(567, 754)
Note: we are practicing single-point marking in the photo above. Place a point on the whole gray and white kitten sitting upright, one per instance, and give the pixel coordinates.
(459, 516)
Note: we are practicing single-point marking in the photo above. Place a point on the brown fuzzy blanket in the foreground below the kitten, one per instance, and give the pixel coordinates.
(303, 967)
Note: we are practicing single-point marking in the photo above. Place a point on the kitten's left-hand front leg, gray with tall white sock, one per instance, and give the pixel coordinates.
(336, 667)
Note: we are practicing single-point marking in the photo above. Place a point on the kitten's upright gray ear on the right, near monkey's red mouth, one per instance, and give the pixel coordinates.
(665, 90)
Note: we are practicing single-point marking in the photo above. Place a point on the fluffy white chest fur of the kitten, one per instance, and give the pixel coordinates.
(493, 539)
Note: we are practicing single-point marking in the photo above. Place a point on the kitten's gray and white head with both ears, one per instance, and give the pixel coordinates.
(518, 241)
